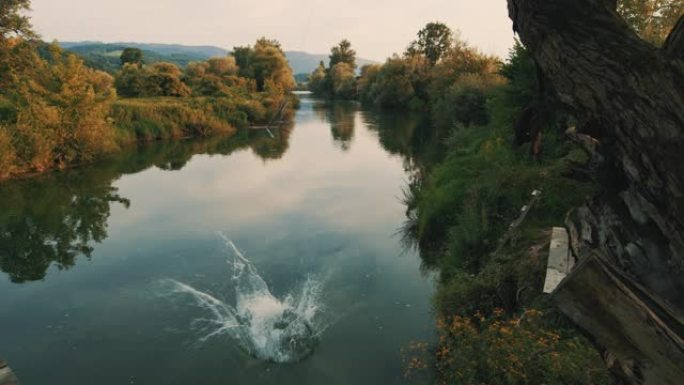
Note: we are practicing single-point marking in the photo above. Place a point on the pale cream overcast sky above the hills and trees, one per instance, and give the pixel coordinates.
(376, 28)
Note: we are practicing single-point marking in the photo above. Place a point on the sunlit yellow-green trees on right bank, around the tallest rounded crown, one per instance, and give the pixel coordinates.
(437, 73)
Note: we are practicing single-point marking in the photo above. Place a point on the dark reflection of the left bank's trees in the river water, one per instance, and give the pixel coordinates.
(56, 218)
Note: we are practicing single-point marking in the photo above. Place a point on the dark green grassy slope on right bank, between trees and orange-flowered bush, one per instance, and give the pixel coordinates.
(470, 199)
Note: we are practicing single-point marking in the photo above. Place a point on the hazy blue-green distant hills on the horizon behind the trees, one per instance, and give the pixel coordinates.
(105, 56)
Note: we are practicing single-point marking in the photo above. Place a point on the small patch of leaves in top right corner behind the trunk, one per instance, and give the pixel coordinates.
(651, 19)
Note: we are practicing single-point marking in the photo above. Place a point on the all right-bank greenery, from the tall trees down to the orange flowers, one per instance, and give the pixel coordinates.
(460, 206)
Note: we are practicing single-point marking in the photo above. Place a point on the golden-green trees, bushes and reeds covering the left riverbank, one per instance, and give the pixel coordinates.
(55, 111)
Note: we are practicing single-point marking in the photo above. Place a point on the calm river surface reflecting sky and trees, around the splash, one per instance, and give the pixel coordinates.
(85, 256)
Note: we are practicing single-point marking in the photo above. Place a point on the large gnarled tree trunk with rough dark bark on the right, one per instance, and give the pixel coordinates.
(634, 92)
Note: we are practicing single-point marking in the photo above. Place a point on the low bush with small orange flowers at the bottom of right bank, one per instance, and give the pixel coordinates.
(522, 350)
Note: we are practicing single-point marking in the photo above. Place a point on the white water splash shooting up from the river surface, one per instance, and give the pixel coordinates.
(266, 327)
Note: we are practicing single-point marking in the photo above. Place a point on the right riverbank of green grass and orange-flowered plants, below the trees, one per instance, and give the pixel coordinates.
(495, 325)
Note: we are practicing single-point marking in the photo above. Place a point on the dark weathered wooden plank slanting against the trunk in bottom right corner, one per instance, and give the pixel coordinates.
(639, 331)
